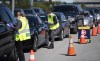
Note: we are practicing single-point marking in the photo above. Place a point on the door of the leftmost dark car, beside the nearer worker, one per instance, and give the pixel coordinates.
(5, 34)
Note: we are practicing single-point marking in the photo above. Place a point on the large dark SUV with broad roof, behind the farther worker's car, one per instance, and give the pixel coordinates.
(70, 11)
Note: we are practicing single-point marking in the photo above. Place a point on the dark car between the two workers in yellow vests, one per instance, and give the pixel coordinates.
(39, 34)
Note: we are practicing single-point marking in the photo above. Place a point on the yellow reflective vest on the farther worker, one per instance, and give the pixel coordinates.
(50, 20)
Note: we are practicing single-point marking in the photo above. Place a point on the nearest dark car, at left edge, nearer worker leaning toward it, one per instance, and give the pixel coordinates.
(7, 41)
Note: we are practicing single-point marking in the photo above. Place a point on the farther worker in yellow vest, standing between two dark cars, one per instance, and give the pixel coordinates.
(53, 27)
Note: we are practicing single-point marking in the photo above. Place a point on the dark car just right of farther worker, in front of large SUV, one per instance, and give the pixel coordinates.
(64, 25)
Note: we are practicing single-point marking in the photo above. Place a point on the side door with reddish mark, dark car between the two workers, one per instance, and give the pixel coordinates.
(41, 31)
